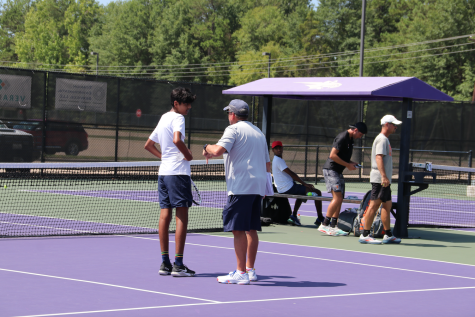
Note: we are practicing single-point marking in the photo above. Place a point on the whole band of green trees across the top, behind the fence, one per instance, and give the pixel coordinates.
(222, 41)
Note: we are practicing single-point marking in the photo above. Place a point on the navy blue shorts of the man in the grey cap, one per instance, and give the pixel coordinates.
(242, 213)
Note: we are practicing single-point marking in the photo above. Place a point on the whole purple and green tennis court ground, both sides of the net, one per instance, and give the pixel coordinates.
(82, 241)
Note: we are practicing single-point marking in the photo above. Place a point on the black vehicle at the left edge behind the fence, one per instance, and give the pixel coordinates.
(15, 145)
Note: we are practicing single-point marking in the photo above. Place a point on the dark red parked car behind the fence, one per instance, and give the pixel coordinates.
(70, 138)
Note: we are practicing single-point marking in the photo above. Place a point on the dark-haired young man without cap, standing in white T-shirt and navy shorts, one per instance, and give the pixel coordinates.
(174, 182)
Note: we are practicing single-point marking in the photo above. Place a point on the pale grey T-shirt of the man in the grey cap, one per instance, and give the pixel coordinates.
(245, 160)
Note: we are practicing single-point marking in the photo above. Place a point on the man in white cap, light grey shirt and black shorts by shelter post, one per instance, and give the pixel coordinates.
(380, 179)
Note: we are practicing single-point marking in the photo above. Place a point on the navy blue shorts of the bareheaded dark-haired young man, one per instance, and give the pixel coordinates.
(174, 191)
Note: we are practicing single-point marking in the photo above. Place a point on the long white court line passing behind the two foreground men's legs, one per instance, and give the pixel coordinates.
(322, 259)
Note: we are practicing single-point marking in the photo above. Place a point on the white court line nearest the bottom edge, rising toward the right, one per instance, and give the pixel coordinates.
(254, 301)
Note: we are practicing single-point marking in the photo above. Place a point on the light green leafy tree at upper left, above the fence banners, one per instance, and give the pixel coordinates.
(56, 33)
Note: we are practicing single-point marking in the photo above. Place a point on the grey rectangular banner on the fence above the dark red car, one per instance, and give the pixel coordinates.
(80, 95)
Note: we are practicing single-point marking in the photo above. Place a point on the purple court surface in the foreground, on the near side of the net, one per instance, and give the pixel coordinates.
(118, 276)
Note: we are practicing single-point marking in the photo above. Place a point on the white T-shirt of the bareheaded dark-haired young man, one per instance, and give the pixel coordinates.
(173, 162)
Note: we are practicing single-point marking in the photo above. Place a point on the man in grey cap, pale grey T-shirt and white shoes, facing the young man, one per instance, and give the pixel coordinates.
(246, 161)
